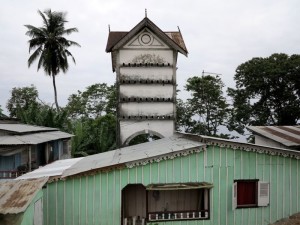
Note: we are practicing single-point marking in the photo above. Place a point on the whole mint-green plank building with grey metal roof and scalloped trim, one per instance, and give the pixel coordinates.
(184, 179)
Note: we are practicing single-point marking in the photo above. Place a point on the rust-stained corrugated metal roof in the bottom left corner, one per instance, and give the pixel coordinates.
(16, 195)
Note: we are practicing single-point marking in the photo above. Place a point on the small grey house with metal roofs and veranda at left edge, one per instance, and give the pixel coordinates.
(25, 147)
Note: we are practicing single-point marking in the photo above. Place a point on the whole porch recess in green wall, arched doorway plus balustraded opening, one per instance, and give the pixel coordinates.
(165, 202)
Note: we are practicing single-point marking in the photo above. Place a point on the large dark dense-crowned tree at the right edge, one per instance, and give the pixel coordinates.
(267, 92)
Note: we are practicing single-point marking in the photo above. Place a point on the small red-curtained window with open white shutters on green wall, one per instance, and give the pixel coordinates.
(250, 193)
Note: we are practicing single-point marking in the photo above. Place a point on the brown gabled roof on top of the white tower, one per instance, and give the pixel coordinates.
(173, 39)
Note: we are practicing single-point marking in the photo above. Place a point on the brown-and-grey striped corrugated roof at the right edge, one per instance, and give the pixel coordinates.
(286, 135)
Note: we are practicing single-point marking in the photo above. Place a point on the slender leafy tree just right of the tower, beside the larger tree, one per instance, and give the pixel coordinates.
(207, 109)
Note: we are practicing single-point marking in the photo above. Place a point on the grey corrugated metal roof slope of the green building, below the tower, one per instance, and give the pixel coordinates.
(128, 154)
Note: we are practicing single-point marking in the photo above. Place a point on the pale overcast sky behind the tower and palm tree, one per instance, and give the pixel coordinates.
(219, 36)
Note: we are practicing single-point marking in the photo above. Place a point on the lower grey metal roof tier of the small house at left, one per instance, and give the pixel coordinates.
(34, 138)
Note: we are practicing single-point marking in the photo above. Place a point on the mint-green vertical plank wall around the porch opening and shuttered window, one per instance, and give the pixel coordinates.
(96, 199)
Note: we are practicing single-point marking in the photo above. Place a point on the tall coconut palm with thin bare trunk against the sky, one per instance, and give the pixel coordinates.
(50, 45)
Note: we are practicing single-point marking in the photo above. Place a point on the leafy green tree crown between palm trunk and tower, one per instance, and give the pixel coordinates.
(98, 99)
